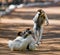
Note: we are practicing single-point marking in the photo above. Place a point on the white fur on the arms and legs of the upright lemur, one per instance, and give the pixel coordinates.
(38, 33)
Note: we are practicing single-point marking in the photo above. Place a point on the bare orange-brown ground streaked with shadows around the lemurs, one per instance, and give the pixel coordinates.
(21, 19)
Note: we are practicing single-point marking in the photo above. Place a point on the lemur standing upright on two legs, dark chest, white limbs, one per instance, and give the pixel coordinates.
(39, 21)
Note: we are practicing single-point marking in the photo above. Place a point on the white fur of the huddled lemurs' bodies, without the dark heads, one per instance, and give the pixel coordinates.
(21, 44)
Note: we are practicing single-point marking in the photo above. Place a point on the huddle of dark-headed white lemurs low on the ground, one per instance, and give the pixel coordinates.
(23, 41)
